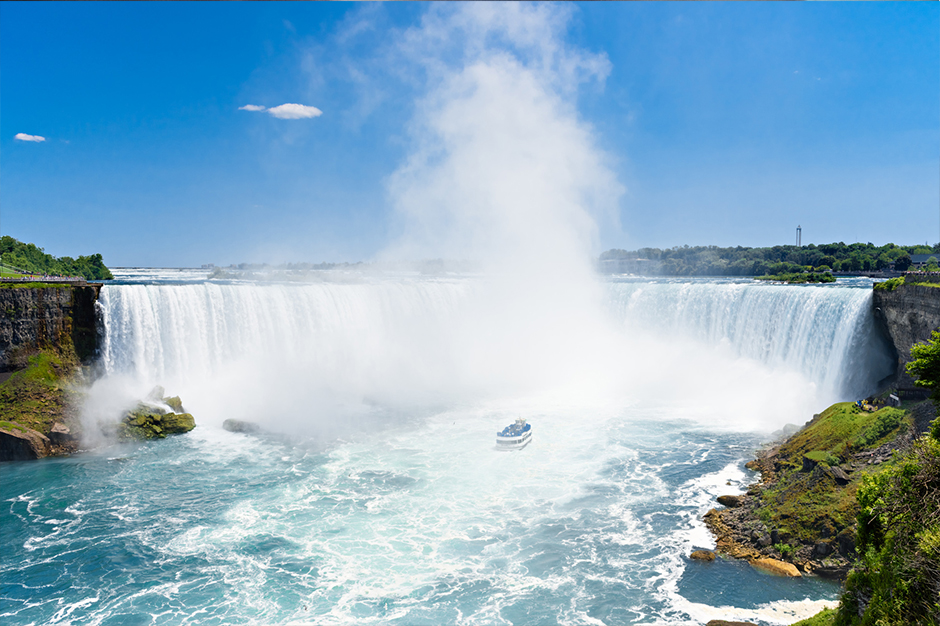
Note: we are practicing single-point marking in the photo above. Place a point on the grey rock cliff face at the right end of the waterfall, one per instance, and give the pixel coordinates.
(909, 314)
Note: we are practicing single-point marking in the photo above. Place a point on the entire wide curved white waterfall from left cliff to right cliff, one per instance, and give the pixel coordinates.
(342, 348)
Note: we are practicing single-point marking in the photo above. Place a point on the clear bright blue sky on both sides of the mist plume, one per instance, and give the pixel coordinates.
(721, 123)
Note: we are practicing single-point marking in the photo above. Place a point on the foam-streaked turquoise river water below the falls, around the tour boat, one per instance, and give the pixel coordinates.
(422, 523)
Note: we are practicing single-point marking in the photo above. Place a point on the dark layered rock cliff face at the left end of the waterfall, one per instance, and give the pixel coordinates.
(33, 317)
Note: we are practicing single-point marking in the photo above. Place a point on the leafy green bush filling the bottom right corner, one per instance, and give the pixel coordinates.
(897, 578)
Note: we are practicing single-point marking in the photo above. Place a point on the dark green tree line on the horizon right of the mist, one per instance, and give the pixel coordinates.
(742, 261)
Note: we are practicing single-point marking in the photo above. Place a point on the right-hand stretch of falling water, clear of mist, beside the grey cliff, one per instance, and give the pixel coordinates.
(827, 333)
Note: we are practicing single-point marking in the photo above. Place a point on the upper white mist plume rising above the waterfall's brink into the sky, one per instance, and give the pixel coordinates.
(503, 171)
